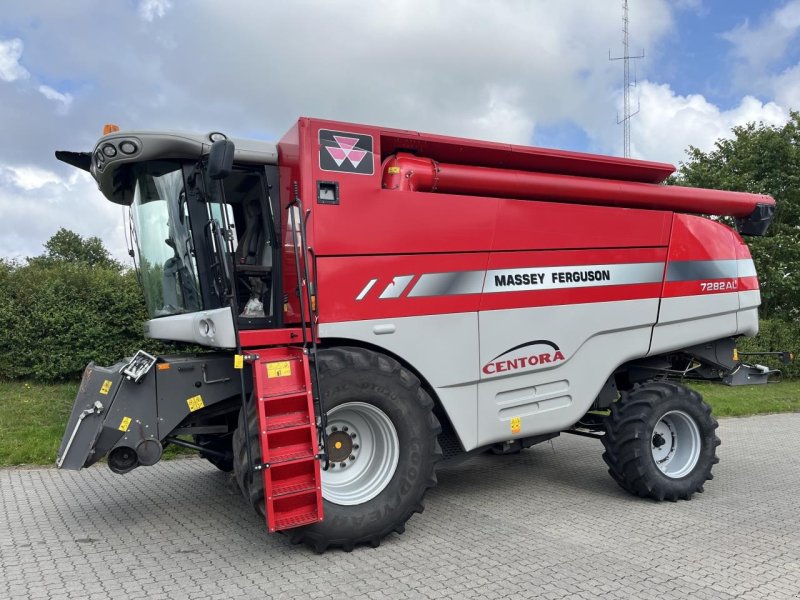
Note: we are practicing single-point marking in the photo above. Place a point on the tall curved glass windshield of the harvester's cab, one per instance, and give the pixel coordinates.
(163, 239)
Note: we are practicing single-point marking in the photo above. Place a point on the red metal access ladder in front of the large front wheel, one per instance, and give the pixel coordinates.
(288, 434)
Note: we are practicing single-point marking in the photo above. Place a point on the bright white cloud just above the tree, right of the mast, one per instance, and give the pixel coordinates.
(668, 122)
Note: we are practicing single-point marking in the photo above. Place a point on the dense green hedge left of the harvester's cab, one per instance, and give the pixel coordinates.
(55, 318)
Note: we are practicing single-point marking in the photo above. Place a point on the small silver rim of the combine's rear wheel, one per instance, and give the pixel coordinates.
(675, 444)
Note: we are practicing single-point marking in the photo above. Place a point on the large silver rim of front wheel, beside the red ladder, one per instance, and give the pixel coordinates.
(363, 449)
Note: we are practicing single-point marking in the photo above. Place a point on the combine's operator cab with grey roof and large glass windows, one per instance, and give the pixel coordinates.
(204, 243)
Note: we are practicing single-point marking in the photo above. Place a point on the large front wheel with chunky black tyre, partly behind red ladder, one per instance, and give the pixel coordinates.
(383, 404)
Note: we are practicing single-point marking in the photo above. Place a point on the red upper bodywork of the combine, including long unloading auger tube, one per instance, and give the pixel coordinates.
(374, 233)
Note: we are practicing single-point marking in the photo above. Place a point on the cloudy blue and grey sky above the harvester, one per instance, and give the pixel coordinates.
(524, 71)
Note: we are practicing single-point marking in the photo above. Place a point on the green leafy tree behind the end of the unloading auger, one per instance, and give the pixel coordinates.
(761, 159)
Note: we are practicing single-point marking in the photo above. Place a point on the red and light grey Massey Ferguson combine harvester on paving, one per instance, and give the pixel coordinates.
(375, 300)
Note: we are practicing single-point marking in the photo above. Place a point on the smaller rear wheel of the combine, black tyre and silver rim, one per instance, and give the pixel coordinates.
(660, 441)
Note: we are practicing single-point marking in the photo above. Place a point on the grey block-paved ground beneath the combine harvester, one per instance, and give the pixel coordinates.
(549, 523)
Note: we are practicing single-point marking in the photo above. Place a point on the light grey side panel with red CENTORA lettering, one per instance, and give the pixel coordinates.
(594, 340)
